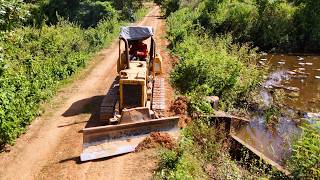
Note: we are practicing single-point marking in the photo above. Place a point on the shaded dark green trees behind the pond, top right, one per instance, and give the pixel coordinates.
(271, 25)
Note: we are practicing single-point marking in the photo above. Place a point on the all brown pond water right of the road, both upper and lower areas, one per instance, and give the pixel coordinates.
(299, 76)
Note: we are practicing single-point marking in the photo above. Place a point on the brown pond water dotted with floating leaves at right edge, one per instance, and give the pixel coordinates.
(303, 73)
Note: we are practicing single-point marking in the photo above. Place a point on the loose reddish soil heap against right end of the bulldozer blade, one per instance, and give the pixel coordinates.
(157, 139)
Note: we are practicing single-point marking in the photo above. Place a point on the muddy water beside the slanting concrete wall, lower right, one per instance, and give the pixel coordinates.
(274, 143)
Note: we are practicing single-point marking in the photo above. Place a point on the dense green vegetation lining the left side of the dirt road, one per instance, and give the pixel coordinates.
(42, 43)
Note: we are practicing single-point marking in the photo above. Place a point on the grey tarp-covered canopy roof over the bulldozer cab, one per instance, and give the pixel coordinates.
(132, 33)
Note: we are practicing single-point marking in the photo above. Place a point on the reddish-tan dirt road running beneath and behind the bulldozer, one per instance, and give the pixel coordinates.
(51, 147)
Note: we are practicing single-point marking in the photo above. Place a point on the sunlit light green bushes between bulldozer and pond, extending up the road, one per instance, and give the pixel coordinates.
(227, 69)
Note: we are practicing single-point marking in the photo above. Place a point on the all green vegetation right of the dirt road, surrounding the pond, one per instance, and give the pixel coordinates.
(218, 43)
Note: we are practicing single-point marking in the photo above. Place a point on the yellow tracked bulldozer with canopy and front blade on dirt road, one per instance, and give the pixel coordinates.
(133, 106)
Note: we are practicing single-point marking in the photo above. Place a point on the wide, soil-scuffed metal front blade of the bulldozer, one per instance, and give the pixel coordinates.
(111, 140)
